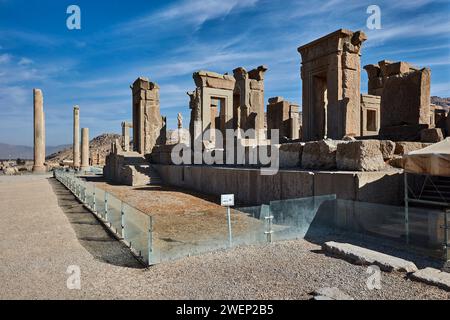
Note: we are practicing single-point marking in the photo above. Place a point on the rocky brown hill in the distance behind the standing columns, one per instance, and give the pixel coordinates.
(99, 147)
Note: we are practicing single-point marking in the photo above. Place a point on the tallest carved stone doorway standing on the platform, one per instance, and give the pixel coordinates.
(331, 85)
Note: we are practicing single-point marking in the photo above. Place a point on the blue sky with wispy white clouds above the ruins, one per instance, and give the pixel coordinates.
(168, 40)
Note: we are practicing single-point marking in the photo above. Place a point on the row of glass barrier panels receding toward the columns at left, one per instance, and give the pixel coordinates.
(128, 224)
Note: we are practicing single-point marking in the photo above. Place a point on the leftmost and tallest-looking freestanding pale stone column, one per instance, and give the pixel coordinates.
(39, 132)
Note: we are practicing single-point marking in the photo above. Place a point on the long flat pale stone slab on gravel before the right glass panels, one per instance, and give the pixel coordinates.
(363, 256)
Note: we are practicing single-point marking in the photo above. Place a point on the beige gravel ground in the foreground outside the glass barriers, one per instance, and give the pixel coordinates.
(43, 230)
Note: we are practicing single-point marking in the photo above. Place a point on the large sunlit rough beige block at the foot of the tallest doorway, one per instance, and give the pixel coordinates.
(363, 155)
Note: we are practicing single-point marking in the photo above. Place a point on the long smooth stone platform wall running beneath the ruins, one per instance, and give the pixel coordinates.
(252, 188)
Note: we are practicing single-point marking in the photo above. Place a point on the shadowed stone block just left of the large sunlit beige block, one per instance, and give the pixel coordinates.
(320, 154)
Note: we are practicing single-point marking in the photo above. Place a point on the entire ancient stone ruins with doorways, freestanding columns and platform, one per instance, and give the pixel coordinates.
(340, 141)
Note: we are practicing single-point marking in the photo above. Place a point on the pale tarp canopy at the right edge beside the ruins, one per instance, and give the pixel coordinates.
(433, 160)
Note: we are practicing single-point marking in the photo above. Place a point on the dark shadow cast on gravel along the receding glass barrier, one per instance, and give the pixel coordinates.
(91, 234)
